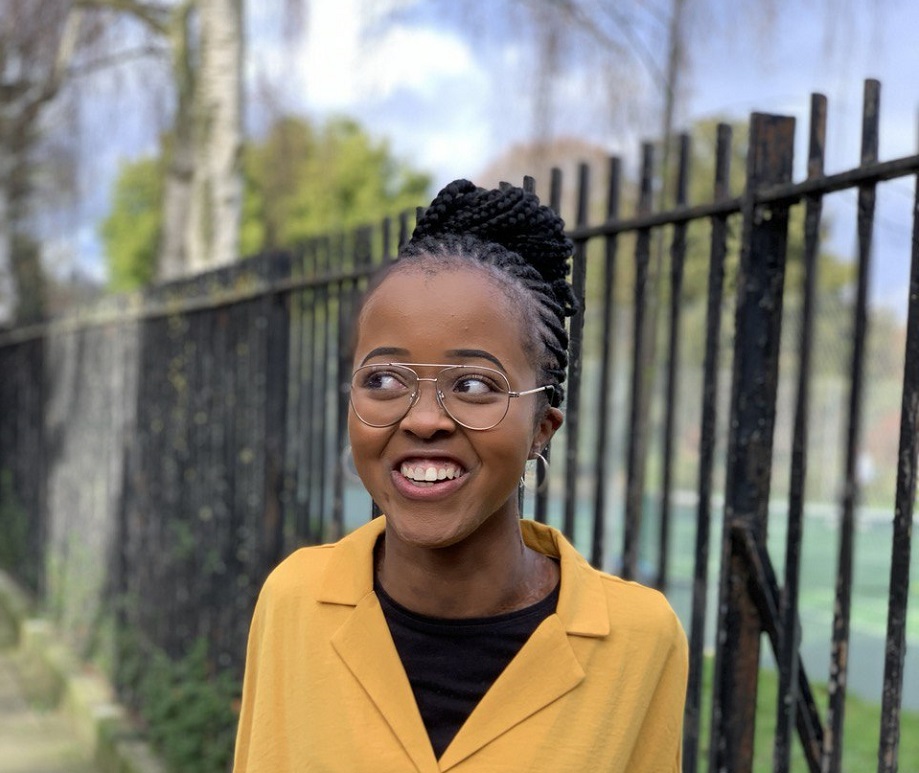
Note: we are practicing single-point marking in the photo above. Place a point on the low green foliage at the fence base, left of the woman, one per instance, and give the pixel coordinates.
(187, 706)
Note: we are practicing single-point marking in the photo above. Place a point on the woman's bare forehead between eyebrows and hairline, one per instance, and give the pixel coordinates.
(428, 314)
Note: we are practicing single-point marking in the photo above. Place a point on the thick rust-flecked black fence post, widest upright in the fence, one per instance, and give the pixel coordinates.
(758, 325)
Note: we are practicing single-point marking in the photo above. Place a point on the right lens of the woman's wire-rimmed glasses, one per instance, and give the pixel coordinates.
(476, 397)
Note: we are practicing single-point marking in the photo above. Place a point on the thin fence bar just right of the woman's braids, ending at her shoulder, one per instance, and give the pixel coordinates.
(575, 346)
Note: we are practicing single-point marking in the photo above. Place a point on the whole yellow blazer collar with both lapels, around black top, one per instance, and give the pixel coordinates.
(364, 644)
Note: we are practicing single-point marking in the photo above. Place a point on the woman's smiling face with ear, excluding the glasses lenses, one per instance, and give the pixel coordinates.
(452, 317)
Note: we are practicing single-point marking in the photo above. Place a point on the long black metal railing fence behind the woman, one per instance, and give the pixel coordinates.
(159, 455)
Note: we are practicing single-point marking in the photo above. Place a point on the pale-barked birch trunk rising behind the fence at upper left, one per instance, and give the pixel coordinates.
(202, 191)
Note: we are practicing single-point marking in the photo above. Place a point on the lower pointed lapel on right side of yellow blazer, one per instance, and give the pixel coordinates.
(524, 687)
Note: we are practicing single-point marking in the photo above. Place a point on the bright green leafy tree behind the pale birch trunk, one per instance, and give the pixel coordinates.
(300, 181)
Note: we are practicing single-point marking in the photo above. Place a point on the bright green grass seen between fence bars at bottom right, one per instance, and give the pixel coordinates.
(860, 734)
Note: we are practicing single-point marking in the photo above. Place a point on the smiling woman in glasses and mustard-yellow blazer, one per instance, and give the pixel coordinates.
(449, 634)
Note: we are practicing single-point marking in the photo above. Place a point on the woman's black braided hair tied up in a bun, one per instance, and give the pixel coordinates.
(520, 243)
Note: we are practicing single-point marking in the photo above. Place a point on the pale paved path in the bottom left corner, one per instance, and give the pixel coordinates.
(31, 740)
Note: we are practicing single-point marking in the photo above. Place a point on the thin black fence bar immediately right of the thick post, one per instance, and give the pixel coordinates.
(789, 641)
